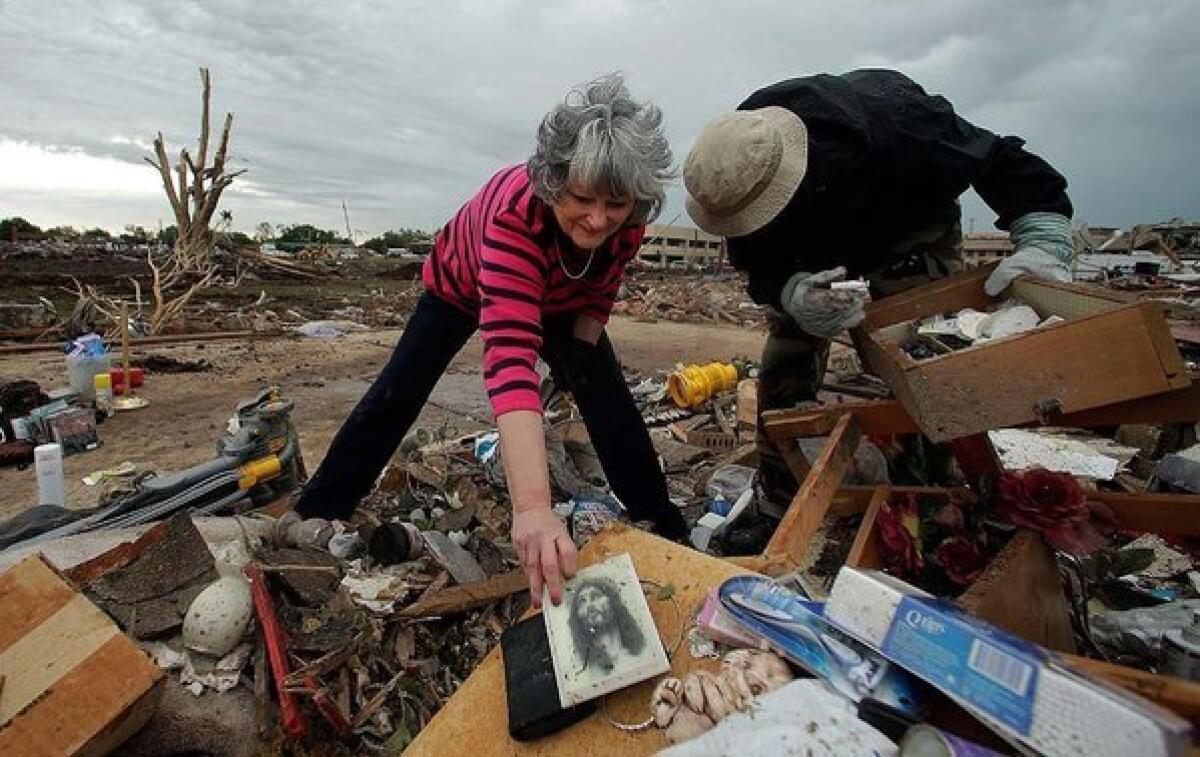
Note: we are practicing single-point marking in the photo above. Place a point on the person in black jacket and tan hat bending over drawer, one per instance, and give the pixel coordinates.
(860, 175)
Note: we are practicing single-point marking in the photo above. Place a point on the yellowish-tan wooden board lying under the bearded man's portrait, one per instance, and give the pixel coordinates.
(475, 722)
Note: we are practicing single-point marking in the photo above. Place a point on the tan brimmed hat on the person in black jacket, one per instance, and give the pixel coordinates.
(745, 170)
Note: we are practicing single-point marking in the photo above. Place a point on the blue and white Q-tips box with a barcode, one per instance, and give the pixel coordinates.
(1018, 688)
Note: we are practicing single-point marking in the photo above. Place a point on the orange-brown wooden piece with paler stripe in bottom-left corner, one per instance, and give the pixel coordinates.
(74, 683)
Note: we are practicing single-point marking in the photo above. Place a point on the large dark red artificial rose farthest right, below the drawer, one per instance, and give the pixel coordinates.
(1041, 500)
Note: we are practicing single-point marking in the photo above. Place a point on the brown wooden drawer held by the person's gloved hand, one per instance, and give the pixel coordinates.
(1108, 350)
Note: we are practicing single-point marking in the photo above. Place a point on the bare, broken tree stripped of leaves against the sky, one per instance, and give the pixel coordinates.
(194, 189)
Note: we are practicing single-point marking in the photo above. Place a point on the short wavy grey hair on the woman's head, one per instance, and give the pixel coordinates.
(599, 137)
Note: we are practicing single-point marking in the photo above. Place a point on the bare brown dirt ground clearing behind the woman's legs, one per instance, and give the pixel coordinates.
(326, 378)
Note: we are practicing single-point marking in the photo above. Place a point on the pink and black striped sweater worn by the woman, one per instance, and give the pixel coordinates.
(503, 259)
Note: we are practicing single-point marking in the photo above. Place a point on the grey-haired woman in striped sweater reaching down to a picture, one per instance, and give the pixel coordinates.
(533, 262)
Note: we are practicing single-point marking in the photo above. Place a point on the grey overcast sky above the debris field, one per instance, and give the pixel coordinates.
(405, 109)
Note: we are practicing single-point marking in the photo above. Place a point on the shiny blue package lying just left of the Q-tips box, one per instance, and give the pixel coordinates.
(797, 630)
